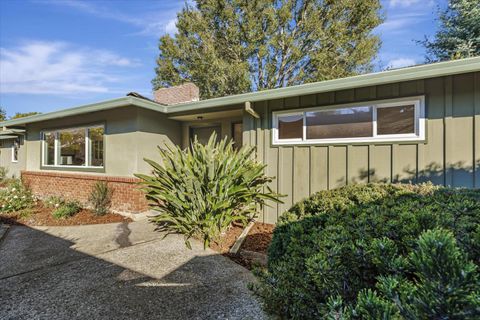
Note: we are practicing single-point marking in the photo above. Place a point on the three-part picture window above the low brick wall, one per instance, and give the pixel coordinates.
(74, 147)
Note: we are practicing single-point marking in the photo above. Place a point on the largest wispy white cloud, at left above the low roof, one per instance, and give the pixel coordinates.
(58, 68)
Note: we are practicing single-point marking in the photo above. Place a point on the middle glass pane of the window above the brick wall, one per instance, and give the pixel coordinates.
(72, 147)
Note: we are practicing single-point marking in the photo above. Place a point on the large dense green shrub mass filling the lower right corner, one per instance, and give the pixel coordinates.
(376, 251)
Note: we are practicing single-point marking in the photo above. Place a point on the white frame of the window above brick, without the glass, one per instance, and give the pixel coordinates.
(57, 148)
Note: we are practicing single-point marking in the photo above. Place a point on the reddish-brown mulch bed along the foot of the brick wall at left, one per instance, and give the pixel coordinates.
(42, 216)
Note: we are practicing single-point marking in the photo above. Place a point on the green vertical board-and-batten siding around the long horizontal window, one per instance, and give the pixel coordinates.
(449, 156)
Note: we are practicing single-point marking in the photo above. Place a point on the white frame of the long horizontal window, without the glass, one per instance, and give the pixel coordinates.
(419, 135)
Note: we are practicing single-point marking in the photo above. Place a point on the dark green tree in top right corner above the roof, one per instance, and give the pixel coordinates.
(459, 32)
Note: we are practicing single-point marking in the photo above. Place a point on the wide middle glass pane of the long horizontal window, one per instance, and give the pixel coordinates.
(340, 123)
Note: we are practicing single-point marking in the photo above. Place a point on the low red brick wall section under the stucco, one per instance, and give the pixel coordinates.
(126, 197)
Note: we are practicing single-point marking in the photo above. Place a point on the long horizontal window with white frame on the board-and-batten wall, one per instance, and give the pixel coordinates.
(391, 120)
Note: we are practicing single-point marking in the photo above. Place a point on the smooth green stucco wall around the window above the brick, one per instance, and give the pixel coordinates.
(131, 134)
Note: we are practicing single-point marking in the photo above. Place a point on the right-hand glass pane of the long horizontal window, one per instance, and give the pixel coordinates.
(396, 120)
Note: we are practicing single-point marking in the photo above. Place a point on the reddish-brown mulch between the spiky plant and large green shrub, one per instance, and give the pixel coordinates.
(256, 243)
